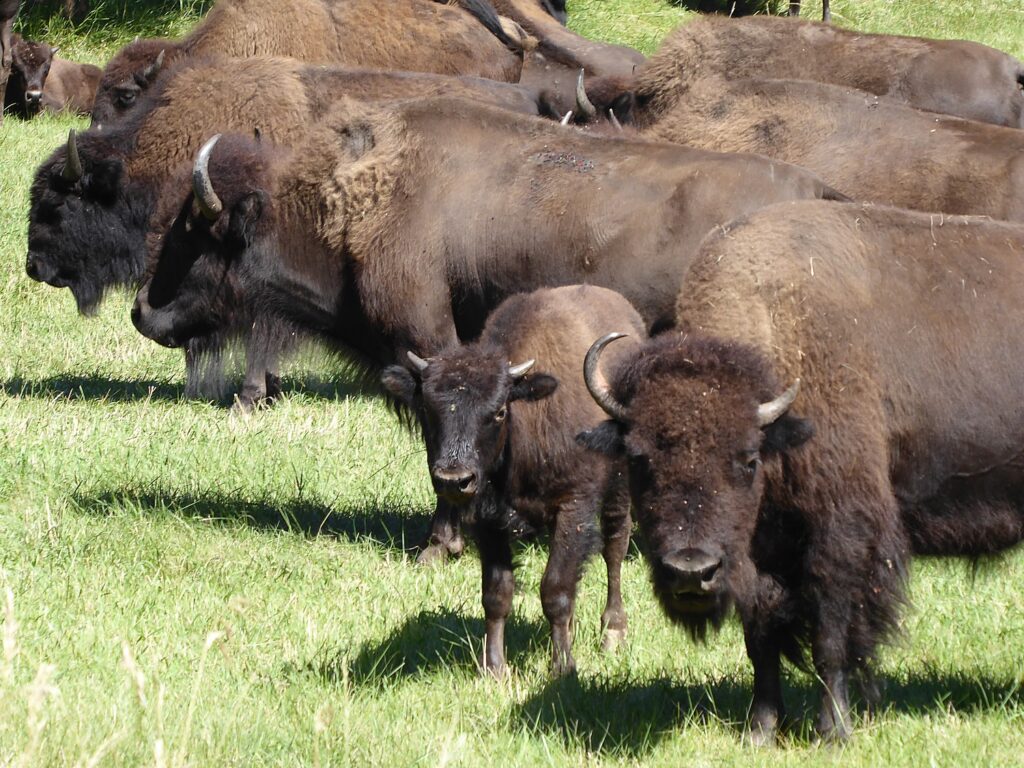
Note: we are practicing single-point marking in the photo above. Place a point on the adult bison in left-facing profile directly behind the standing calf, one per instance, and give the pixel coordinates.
(399, 230)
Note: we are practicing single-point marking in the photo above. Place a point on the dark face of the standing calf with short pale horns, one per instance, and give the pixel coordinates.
(463, 403)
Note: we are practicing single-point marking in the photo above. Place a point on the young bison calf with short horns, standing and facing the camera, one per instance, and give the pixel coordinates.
(500, 446)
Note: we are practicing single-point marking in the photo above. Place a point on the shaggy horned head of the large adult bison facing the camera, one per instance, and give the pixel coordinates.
(697, 421)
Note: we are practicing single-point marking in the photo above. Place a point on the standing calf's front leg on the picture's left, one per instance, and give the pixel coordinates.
(498, 586)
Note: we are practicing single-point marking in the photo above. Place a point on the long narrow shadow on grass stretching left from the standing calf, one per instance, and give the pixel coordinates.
(394, 529)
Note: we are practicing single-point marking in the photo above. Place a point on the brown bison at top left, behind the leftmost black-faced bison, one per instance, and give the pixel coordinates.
(411, 35)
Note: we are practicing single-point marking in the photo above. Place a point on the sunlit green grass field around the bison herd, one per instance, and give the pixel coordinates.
(183, 588)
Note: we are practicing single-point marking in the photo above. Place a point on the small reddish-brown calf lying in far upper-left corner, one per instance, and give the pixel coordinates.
(41, 81)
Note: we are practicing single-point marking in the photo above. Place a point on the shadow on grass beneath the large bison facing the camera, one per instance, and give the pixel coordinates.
(617, 718)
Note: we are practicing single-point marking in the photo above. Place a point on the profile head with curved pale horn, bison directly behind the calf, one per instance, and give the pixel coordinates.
(194, 285)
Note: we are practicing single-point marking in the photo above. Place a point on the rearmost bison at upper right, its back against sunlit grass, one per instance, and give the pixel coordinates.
(954, 77)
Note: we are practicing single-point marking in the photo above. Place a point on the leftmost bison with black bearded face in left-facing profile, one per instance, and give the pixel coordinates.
(92, 202)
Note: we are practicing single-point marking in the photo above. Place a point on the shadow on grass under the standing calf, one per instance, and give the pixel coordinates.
(432, 643)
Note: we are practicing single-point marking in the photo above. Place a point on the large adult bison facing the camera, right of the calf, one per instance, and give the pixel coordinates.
(839, 397)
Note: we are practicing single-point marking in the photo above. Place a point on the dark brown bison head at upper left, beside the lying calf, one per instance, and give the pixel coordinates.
(129, 76)
